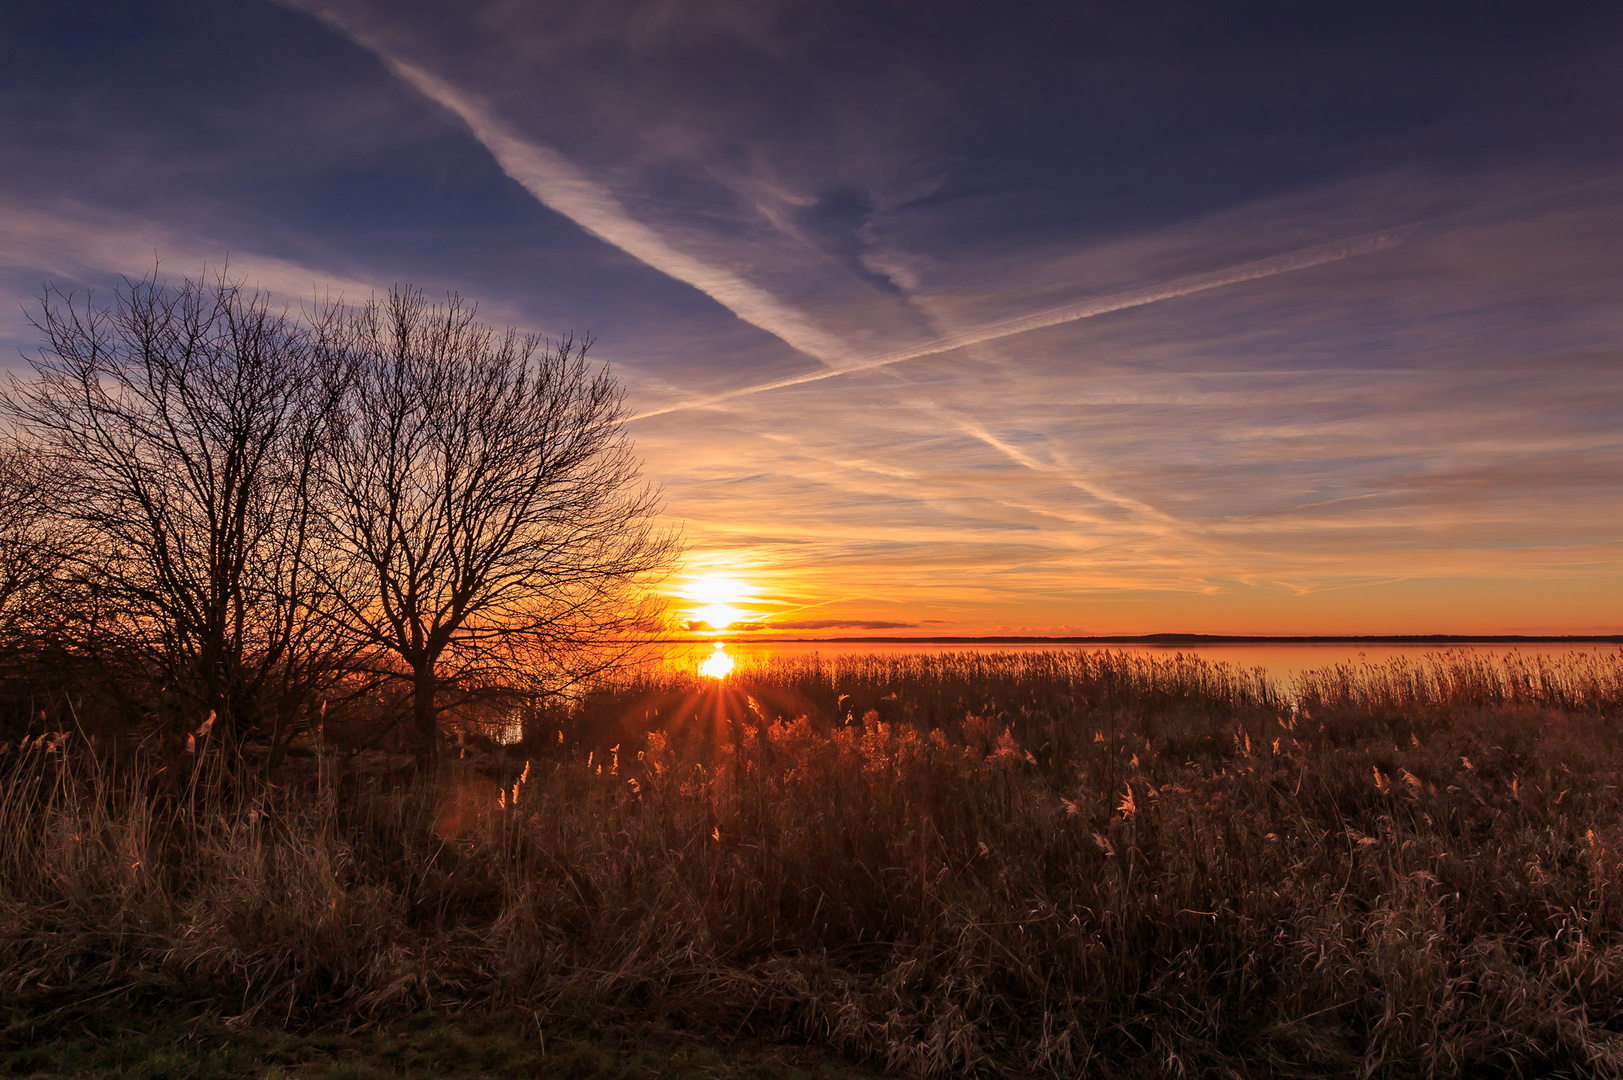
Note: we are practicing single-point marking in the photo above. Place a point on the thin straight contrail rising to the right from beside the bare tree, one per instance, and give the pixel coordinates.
(1301, 259)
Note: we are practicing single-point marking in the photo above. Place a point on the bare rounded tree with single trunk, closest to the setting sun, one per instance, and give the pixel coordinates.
(486, 504)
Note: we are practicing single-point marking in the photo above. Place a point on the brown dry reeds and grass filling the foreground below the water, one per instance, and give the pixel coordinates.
(1062, 865)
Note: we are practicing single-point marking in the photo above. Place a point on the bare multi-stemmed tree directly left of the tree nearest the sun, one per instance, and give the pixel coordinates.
(187, 428)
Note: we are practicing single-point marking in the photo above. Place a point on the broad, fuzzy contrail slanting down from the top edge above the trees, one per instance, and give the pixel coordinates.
(567, 191)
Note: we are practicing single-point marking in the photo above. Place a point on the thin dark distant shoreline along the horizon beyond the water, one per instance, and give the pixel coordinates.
(1184, 639)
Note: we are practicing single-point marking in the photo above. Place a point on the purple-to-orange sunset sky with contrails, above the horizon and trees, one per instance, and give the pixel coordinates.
(942, 319)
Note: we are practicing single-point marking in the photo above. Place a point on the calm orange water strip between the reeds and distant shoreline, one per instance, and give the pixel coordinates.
(1278, 662)
